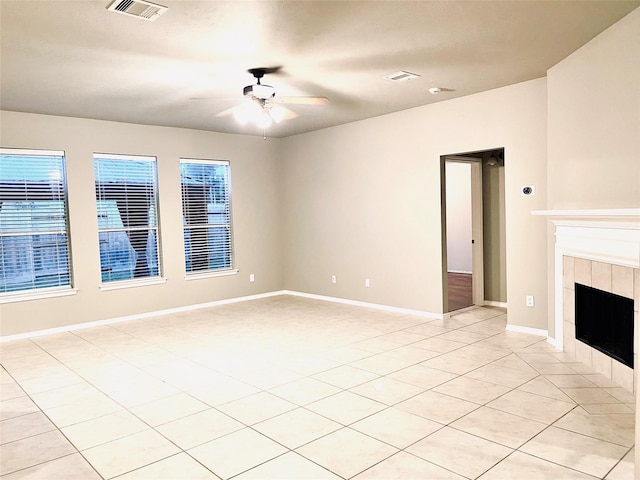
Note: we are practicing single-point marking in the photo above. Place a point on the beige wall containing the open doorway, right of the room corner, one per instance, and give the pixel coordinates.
(363, 200)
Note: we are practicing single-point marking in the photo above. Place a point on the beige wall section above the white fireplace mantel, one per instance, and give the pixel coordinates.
(594, 122)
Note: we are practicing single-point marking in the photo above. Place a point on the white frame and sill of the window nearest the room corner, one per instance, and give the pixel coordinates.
(209, 272)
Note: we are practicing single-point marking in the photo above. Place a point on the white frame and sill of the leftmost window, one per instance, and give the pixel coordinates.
(35, 292)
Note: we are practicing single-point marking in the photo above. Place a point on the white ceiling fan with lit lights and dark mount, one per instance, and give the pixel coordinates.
(262, 106)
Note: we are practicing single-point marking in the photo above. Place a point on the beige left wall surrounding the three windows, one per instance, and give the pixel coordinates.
(256, 216)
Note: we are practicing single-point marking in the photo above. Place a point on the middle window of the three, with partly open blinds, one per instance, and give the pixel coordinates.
(127, 216)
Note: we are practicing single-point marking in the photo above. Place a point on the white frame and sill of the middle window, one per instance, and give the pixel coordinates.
(134, 281)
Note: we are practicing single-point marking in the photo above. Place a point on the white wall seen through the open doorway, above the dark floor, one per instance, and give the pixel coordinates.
(459, 236)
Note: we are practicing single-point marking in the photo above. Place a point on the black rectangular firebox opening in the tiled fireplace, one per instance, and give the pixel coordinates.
(604, 321)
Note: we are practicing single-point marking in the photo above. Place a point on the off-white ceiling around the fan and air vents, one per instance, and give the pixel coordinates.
(75, 58)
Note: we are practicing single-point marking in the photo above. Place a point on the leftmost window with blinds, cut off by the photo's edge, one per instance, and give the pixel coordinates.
(34, 227)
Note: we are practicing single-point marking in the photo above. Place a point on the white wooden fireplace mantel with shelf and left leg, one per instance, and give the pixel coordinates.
(605, 235)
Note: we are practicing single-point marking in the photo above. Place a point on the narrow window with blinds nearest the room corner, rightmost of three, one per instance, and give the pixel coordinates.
(206, 210)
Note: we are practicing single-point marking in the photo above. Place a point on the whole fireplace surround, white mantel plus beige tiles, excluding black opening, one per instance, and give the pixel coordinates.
(600, 249)
